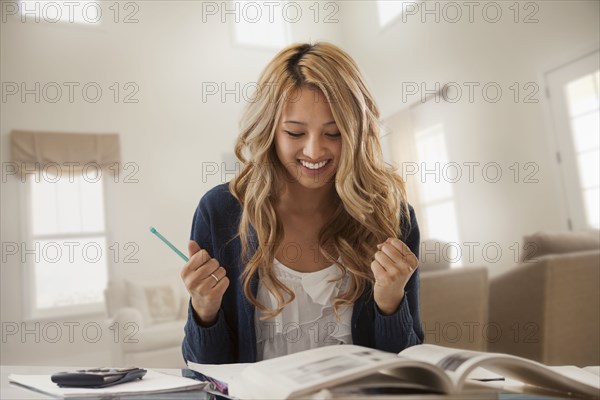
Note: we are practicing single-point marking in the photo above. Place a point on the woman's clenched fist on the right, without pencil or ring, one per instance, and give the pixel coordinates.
(393, 266)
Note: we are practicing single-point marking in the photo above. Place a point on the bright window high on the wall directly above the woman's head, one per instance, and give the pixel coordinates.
(261, 23)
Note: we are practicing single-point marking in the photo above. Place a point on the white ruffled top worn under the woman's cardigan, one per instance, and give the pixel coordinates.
(308, 321)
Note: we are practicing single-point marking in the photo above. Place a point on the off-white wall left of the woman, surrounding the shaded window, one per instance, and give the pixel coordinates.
(168, 134)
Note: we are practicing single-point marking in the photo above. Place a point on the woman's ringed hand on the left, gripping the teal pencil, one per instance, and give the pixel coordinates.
(206, 281)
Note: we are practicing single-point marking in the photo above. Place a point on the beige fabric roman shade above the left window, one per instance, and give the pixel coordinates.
(31, 149)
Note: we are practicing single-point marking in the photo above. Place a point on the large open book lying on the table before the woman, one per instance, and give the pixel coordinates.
(423, 368)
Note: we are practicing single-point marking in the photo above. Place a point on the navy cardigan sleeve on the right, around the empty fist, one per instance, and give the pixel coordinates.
(402, 329)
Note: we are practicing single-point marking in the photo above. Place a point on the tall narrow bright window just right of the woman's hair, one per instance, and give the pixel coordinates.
(435, 192)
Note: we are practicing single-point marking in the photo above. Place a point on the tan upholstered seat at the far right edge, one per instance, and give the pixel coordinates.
(547, 308)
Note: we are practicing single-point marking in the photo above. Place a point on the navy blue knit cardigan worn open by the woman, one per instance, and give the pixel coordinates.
(232, 338)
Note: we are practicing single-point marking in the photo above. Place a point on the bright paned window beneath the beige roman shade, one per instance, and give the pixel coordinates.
(66, 247)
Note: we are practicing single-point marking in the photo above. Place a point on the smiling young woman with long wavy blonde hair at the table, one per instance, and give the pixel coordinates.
(313, 243)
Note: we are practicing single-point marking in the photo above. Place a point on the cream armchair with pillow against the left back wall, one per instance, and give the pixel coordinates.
(147, 320)
